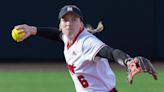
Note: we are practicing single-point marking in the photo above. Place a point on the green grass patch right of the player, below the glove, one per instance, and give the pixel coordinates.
(143, 82)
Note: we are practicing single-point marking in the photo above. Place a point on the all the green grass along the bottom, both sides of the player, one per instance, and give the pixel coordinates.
(60, 81)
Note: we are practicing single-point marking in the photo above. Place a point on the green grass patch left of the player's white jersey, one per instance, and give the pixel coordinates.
(35, 81)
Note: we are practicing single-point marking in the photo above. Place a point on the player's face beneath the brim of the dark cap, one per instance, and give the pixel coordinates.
(70, 25)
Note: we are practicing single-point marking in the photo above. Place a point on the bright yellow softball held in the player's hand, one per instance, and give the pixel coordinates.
(16, 35)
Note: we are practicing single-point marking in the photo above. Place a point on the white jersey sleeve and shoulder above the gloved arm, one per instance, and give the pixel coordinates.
(91, 47)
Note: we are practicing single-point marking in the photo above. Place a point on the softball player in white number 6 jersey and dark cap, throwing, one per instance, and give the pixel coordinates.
(86, 56)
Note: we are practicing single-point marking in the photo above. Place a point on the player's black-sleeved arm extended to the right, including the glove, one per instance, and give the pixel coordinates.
(134, 65)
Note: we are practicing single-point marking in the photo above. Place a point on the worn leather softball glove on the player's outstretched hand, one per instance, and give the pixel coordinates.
(137, 65)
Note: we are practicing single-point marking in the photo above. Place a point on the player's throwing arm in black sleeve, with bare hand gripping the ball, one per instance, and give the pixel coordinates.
(50, 33)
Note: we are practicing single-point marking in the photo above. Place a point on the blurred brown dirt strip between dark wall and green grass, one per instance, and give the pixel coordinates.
(54, 66)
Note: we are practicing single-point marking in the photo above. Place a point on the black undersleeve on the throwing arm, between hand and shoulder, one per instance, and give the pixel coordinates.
(50, 33)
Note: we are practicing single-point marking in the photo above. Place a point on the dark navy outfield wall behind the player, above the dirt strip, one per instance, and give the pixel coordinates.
(134, 26)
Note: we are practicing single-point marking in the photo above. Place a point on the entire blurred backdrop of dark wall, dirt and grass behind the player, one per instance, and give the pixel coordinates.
(135, 26)
